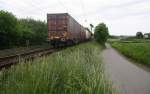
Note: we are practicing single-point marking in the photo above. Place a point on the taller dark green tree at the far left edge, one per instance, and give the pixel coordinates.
(8, 29)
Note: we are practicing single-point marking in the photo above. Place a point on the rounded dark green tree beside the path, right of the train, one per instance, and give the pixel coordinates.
(101, 33)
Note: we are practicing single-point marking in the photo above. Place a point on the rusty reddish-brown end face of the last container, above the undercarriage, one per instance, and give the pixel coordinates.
(57, 26)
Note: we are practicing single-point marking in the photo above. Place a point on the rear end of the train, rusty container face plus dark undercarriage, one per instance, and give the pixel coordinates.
(57, 28)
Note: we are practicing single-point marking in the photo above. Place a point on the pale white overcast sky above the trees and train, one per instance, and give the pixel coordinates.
(123, 17)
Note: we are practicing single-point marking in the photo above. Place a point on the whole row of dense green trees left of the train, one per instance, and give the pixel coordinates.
(20, 32)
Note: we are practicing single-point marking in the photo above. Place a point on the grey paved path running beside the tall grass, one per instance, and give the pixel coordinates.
(126, 76)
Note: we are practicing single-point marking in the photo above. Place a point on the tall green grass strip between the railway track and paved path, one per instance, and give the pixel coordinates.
(75, 70)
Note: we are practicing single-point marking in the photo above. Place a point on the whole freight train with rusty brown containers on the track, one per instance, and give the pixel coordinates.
(65, 30)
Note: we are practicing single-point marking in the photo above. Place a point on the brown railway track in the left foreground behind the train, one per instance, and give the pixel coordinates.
(6, 62)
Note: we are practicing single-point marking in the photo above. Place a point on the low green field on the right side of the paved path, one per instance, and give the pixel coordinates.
(139, 52)
